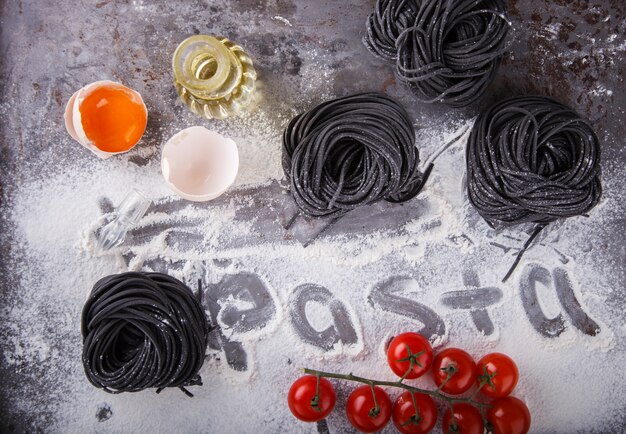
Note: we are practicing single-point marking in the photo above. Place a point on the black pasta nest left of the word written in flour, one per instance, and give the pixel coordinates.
(143, 330)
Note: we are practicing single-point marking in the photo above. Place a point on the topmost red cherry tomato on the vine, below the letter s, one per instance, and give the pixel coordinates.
(399, 358)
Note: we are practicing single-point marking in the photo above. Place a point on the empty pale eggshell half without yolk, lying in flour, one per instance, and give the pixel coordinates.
(199, 164)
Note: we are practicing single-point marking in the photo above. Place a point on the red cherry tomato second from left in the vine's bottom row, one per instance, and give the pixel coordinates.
(360, 409)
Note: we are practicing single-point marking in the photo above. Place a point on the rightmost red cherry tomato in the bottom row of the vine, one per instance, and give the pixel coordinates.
(509, 415)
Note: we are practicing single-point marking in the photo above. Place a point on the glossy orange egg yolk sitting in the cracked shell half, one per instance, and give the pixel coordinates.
(113, 118)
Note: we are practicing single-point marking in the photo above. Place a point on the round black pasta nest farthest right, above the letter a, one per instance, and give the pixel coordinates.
(532, 159)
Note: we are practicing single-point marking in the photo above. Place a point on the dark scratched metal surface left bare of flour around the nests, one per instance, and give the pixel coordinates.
(50, 48)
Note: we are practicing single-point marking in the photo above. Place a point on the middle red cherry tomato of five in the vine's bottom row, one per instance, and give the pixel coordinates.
(404, 416)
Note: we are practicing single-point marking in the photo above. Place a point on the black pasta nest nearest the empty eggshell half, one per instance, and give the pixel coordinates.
(349, 152)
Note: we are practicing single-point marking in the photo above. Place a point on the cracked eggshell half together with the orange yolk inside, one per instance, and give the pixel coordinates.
(106, 117)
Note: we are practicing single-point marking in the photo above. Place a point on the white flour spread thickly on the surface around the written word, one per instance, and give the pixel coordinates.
(52, 216)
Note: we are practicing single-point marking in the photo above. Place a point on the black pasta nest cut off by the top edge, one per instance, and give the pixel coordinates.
(445, 51)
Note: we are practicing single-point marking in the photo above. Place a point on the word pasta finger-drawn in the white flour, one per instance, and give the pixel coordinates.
(241, 303)
